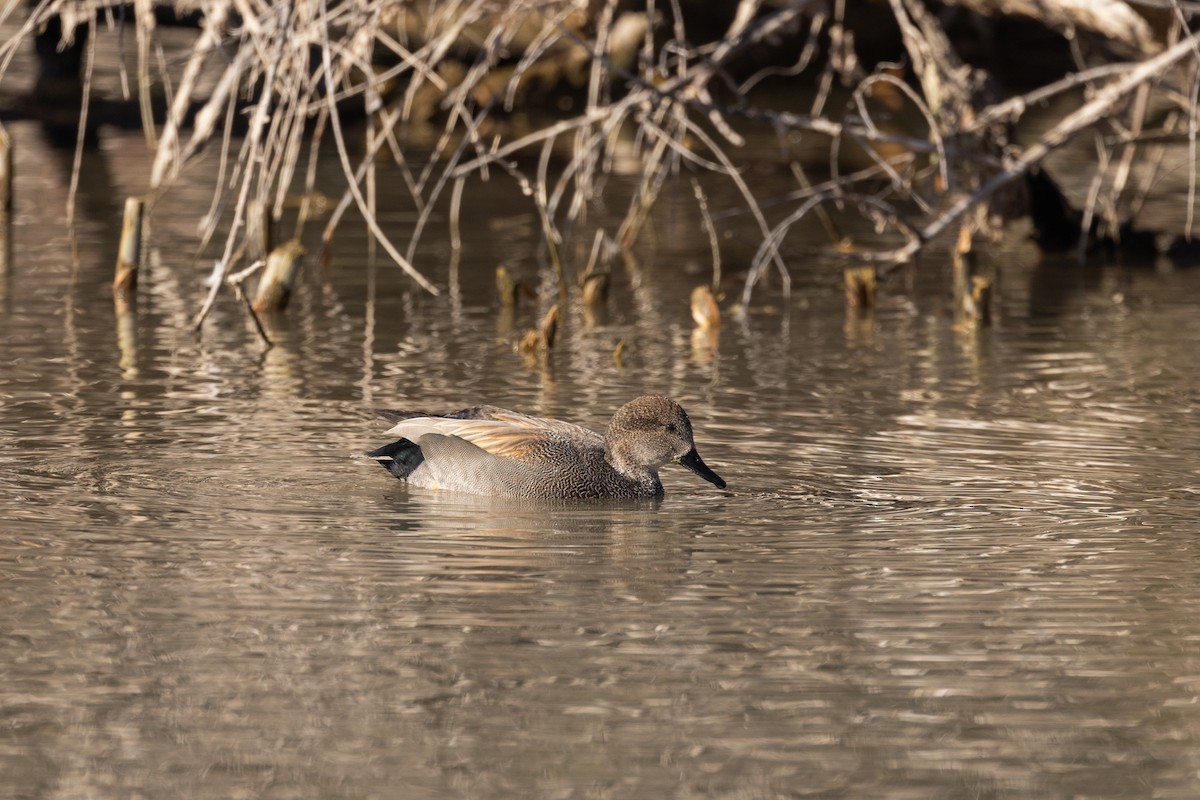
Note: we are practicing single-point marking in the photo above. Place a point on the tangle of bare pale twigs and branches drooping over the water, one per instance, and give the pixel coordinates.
(297, 68)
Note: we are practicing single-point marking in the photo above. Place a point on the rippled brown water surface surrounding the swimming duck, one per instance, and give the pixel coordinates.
(950, 564)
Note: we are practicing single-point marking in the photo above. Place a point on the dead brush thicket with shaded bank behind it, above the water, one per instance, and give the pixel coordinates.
(268, 83)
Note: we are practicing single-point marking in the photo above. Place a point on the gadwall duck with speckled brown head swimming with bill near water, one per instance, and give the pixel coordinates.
(491, 452)
